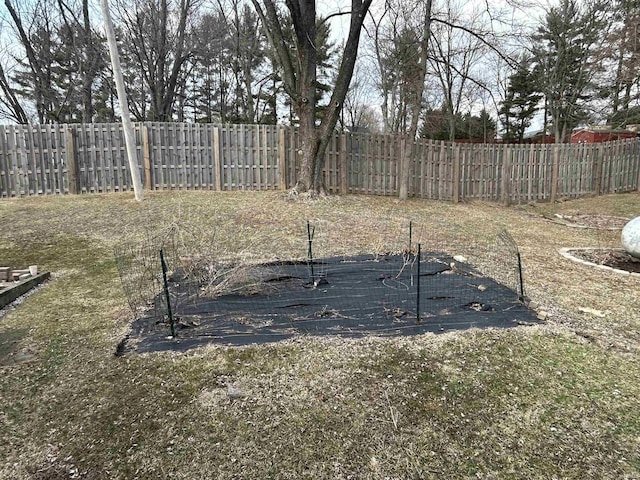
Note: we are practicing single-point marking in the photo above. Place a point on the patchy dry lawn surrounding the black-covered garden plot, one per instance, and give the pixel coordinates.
(560, 400)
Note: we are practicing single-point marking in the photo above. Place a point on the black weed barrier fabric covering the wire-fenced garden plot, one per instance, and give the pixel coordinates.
(350, 297)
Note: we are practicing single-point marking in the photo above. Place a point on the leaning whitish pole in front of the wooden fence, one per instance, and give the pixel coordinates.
(122, 100)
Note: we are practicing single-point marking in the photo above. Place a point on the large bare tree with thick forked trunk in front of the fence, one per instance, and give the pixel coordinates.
(299, 73)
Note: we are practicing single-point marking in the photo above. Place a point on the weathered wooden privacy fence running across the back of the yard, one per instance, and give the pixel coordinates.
(86, 158)
